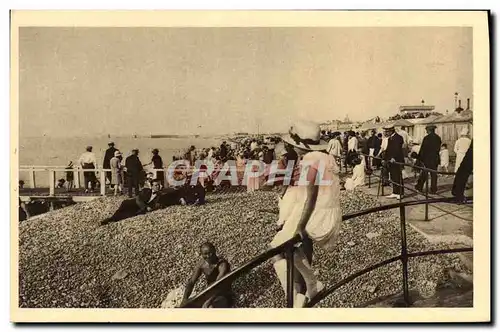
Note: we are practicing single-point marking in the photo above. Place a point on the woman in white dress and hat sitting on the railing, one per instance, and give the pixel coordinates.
(310, 209)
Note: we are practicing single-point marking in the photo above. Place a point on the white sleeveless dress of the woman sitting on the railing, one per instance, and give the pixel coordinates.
(325, 221)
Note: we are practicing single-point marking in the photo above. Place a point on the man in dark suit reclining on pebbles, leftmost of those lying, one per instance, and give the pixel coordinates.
(147, 200)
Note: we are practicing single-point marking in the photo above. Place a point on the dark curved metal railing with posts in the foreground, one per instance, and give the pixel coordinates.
(288, 247)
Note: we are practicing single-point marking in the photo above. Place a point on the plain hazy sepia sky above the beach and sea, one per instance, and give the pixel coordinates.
(124, 81)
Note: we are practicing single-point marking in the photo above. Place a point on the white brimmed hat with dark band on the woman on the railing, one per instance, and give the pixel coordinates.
(305, 135)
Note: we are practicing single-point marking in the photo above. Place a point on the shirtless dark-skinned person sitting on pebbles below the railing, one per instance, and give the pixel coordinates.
(213, 268)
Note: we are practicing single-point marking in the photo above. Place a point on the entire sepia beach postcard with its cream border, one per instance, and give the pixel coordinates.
(284, 161)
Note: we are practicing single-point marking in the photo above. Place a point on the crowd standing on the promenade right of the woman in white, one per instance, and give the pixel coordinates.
(385, 150)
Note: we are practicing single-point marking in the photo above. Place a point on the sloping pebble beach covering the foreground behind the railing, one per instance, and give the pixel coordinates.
(66, 260)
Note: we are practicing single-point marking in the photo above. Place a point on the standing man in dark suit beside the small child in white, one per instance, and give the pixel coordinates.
(429, 157)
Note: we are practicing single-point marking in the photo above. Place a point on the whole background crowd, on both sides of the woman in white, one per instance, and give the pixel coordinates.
(362, 152)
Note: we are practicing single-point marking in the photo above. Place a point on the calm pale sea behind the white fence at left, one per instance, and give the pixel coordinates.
(59, 151)
